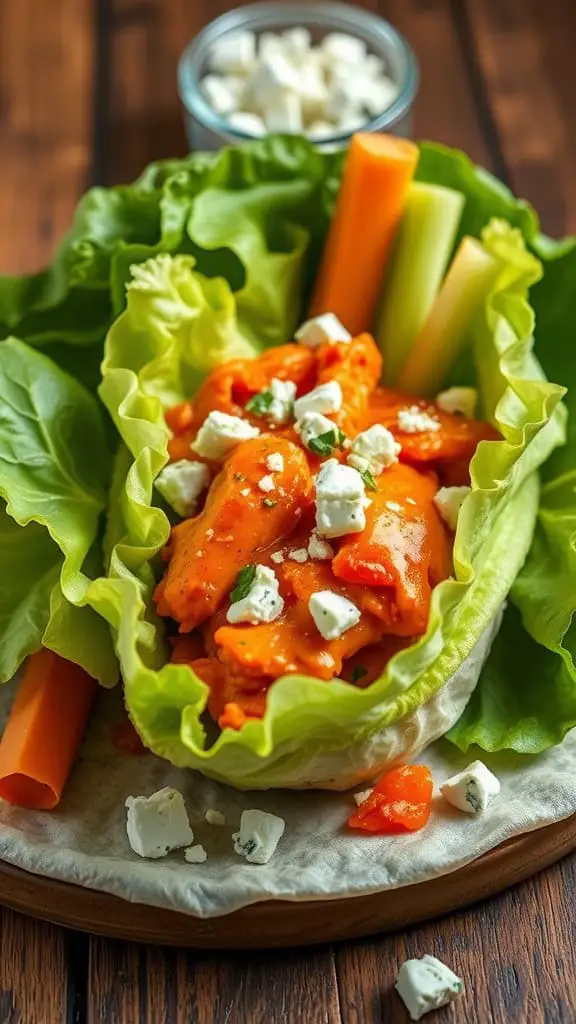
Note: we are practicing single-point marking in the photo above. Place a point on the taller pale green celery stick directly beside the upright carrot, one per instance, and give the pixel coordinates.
(423, 248)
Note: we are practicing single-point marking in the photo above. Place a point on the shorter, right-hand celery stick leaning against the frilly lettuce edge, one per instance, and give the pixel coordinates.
(472, 275)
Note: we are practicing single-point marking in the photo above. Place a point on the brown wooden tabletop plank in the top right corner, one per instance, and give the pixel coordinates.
(525, 49)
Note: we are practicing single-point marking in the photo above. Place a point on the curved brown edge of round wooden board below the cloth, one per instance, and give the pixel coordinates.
(276, 924)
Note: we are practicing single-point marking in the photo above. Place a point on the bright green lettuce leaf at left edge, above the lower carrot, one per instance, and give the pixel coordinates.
(54, 477)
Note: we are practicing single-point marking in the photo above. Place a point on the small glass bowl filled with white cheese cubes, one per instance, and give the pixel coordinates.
(322, 70)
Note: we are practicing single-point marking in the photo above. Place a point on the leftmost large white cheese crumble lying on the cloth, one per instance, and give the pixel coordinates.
(158, 824)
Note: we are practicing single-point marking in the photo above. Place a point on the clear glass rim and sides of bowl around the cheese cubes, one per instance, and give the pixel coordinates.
(207, 131)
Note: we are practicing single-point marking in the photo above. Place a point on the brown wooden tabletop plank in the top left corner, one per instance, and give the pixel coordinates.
(47, 66)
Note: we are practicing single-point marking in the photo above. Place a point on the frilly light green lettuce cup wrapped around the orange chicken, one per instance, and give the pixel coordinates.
(308, 722)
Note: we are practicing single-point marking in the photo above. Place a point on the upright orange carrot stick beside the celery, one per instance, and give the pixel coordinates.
(378, 175)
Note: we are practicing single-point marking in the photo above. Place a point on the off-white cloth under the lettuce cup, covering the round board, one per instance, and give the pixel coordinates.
(85, 840)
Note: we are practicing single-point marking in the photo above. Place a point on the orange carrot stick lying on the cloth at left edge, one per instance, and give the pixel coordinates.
(45, 731)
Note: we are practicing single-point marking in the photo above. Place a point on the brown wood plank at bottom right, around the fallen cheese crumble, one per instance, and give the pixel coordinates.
(516, 955)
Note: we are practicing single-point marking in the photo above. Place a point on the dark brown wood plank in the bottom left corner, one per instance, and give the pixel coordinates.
(33, 971)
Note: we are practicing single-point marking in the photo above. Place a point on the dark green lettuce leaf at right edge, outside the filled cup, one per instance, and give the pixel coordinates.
(526, 700)
